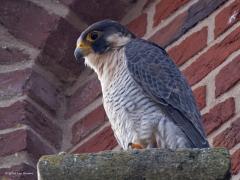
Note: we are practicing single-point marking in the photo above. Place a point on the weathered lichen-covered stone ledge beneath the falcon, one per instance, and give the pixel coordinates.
(149, 164)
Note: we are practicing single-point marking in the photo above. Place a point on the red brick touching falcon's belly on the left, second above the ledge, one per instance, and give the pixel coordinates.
(88, 124)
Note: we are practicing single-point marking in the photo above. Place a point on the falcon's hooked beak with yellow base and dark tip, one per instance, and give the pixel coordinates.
(81, 51)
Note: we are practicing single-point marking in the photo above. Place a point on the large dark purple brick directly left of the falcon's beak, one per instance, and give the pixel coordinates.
(57, 53)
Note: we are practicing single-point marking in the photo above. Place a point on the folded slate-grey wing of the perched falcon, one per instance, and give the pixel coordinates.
(160, 79)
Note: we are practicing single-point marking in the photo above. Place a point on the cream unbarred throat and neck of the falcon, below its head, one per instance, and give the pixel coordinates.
(105, 65)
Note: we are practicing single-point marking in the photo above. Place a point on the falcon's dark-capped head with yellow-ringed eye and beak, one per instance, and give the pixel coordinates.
(102, 37)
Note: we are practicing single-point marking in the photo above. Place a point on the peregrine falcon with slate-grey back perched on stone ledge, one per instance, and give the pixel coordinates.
(146, 98)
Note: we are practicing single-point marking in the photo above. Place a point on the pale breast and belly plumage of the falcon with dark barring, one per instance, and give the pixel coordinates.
(134, 116)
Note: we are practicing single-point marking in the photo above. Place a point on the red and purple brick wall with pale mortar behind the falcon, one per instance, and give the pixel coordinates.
(48, 103)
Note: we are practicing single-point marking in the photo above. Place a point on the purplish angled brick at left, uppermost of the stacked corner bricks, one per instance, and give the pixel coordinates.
(31, 83)
